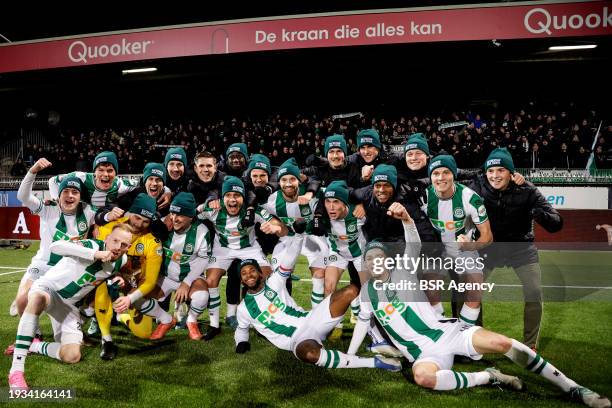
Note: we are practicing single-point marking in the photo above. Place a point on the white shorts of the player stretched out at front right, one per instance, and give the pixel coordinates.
(456, 340)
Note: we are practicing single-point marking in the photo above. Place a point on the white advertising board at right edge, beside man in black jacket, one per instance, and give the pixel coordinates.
(588, 198)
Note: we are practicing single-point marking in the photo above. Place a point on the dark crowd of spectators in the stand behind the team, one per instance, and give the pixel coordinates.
(537, 138)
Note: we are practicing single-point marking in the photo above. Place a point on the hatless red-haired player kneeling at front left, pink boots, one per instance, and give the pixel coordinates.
(84, 265)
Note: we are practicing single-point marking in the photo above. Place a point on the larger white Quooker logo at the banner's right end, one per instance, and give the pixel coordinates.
(539, 21)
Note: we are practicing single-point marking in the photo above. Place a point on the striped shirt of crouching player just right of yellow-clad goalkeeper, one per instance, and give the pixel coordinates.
(186, 254)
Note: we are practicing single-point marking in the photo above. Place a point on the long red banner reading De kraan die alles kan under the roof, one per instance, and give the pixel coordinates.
(472, 22)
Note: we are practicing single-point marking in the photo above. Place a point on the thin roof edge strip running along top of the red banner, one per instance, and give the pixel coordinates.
(295, 16)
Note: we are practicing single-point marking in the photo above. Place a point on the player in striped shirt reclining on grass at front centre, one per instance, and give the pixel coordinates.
(270, 309)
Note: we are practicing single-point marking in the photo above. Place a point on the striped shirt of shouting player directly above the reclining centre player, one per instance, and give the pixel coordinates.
(229, 233)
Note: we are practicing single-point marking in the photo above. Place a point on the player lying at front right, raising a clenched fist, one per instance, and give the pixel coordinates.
(411, 323)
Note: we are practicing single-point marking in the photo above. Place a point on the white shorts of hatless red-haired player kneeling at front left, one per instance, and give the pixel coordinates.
(65, 318)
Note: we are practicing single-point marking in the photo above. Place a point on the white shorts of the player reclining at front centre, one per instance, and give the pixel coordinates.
(316, 326)
